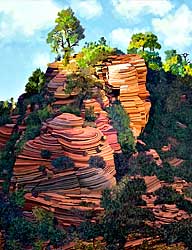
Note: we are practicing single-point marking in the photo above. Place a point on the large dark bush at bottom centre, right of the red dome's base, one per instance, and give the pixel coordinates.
(122, 216)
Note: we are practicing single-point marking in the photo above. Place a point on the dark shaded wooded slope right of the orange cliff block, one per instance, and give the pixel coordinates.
(172, 97)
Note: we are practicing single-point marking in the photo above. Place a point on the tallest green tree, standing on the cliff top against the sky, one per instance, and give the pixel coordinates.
(66, 34)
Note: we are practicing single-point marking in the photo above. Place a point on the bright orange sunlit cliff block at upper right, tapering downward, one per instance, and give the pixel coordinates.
(125, 75)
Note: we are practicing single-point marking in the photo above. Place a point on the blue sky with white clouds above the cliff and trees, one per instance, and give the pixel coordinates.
(24, 25)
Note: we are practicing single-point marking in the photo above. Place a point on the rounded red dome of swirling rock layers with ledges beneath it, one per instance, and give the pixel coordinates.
(62, 190)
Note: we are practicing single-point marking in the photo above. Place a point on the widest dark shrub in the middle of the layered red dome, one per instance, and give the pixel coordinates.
(63, 162)
